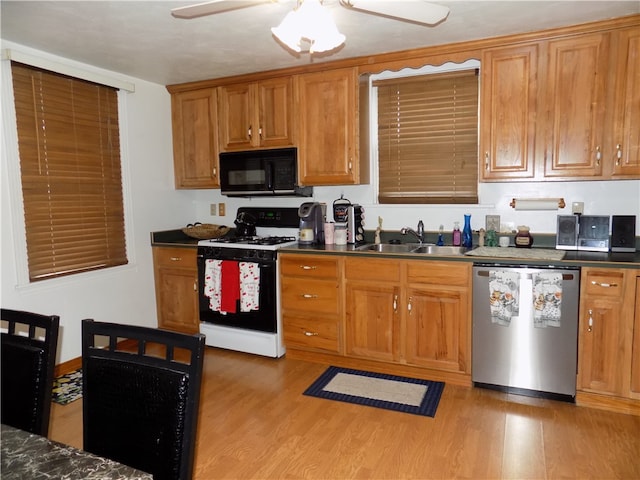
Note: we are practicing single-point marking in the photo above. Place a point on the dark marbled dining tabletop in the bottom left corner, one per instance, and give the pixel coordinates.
(25, 455)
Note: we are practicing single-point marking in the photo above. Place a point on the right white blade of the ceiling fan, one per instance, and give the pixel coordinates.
(414, 11)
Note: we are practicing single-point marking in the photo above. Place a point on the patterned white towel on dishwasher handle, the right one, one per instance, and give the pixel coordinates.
(547, 299)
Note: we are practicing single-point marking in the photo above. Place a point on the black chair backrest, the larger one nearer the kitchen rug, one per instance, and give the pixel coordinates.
(141, 394)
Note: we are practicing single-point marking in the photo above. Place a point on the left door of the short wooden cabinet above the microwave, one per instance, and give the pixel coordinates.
(237, 124)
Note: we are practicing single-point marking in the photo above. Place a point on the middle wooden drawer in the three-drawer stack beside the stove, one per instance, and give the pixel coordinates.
(310, 295)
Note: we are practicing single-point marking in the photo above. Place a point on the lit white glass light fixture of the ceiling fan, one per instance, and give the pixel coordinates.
(309, 23)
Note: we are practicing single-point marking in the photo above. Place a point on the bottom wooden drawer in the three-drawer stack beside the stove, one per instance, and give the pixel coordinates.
(310, 333)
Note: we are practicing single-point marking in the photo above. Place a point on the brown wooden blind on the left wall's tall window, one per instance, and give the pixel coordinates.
(69, 143)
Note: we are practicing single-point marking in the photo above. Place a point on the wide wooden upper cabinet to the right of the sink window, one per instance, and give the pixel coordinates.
(562, 109)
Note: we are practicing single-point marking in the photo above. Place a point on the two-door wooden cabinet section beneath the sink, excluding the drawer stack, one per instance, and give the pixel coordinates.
(409, 312)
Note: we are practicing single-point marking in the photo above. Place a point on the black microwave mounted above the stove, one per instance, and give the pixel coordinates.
(261, 172)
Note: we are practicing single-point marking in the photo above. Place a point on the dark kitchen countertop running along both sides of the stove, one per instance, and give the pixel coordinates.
(175, 238)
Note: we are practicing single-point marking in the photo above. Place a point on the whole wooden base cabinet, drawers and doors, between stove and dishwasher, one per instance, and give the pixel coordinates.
(390, 315)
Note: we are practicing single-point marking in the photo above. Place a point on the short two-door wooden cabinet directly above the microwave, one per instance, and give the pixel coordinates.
(256, 115)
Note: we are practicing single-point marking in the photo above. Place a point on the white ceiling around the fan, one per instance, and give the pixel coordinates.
(141, 38)
